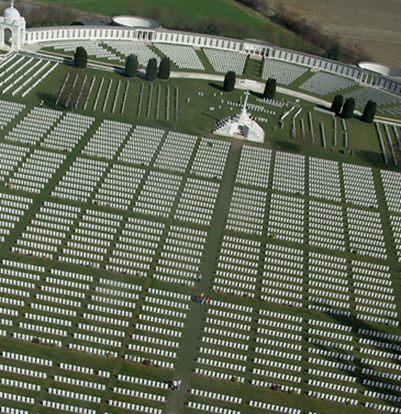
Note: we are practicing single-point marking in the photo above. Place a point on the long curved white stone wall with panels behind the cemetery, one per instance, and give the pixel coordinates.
(257, 48)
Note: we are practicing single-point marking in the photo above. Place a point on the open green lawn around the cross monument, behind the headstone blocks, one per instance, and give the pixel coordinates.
(199, 115)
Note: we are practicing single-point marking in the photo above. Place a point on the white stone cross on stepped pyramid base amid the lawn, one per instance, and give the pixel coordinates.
(240, 126)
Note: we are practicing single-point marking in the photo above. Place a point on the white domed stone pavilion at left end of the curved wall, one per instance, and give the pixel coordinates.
(12, 28)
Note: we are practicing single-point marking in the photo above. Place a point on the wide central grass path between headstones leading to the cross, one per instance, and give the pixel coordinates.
(196, 315)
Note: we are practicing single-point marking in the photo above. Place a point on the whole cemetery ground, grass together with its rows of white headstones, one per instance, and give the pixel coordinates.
(148, 212)
